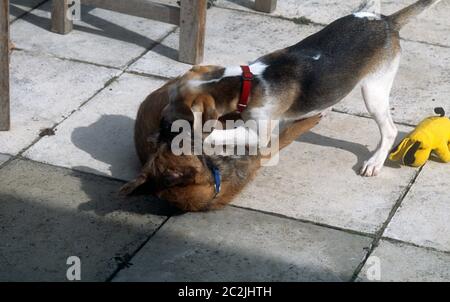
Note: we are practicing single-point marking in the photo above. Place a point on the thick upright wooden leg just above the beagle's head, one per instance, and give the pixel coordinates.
(192, 31)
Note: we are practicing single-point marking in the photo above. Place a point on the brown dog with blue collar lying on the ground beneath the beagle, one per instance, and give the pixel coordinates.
(190, 181)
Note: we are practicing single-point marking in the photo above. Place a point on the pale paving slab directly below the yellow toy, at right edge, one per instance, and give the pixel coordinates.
(423, 217)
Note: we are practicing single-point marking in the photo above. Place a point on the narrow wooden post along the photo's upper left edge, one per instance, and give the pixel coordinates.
(4, 66)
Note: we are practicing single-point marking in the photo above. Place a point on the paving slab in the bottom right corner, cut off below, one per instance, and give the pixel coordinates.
(404, 263)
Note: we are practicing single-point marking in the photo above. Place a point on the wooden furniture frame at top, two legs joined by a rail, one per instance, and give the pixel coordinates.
(190, 16)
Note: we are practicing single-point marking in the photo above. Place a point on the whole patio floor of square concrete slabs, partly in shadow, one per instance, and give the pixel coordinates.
(310, 218)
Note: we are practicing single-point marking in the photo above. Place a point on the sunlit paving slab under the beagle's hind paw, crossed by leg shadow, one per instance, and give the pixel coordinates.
(316, 178)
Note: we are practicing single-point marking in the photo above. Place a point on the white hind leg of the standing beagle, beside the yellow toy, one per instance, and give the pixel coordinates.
(376, 89)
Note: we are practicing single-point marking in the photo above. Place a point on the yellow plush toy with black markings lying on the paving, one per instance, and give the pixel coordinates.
(432, 134)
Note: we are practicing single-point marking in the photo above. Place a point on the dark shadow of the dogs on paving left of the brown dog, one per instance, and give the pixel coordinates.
(110, 141)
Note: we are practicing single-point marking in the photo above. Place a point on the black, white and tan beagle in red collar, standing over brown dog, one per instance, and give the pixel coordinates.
(306, 79)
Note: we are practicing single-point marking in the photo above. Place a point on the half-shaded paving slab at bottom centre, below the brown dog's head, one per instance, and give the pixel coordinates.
(241, 245)
